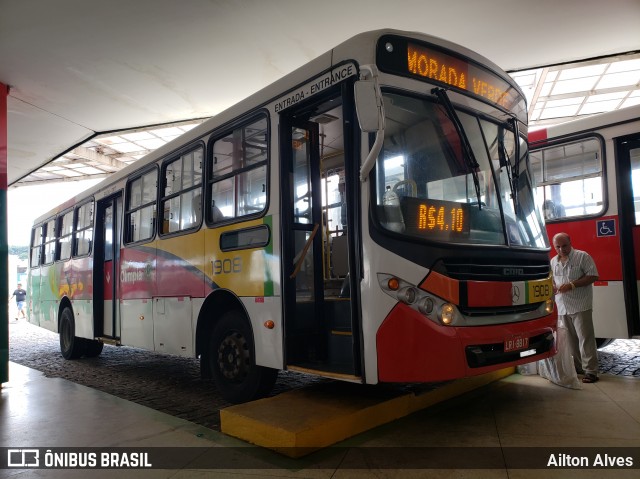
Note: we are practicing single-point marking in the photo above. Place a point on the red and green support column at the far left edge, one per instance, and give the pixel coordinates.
(4, 248)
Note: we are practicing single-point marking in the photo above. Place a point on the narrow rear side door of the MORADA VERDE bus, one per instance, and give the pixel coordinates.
(107, 255)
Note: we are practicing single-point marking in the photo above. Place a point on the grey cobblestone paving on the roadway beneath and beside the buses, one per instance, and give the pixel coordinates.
(172, 384)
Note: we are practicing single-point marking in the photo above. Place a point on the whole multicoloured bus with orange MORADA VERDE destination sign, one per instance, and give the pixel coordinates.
(368, 217)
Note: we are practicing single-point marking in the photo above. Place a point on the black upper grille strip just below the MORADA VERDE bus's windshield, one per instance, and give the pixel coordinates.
(489, 270)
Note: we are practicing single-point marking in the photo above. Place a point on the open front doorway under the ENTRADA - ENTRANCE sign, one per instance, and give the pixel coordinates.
(319, 327)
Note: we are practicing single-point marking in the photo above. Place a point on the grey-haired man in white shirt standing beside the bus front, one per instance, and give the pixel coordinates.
(574, 273)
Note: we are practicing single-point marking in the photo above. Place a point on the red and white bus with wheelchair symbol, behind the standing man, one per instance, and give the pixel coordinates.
(588, 177)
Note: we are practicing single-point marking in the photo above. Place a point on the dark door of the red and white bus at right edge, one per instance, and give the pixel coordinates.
(628, 163)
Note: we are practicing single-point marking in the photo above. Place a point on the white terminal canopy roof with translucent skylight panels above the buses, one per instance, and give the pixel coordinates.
(95, 86)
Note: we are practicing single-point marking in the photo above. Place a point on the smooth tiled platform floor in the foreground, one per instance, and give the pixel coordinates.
(490, 432)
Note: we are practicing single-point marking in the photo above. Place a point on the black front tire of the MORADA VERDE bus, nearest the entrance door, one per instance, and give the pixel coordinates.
(232, 360)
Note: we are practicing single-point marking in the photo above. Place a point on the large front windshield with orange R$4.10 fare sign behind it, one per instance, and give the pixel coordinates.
(454, 179)
